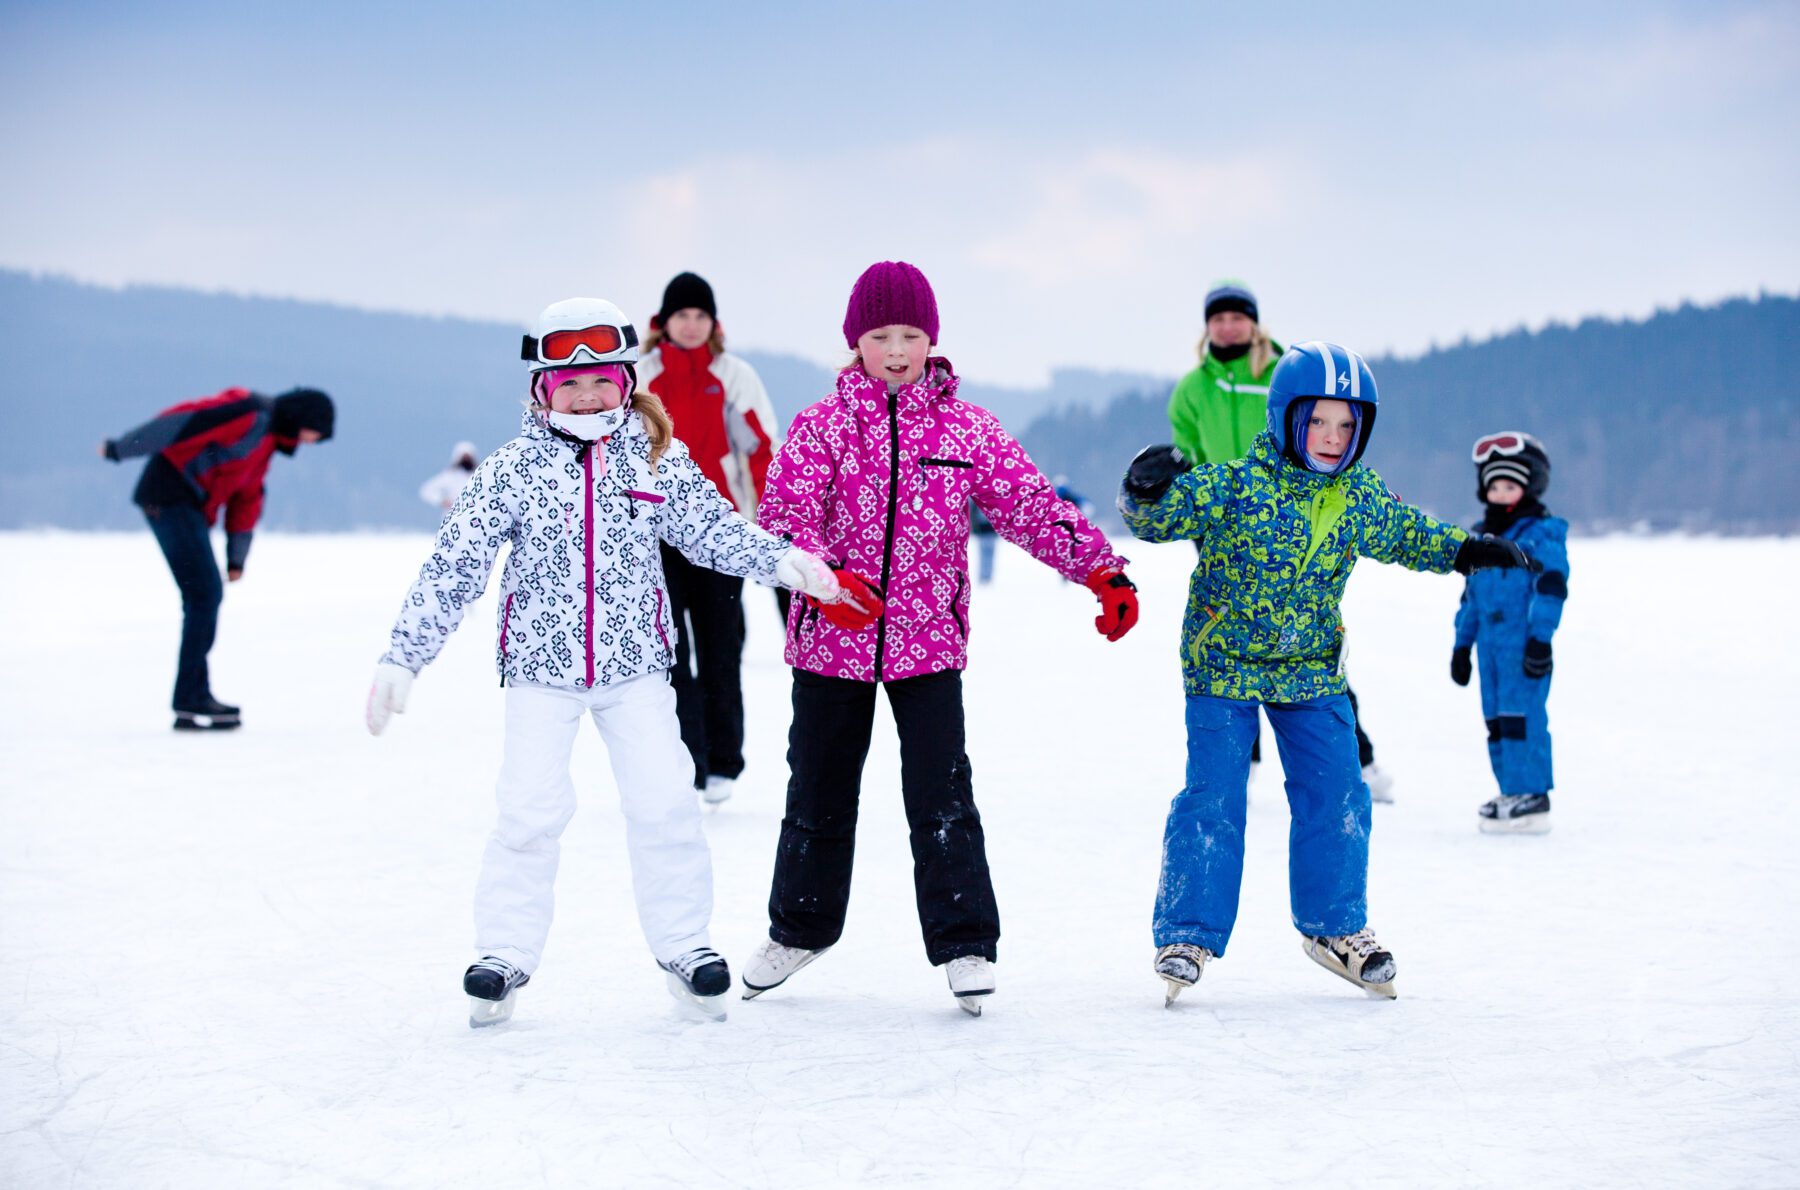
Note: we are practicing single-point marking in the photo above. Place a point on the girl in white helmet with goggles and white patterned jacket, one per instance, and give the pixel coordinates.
(584, 496)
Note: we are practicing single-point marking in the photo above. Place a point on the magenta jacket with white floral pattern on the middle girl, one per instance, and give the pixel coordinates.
(831, 492)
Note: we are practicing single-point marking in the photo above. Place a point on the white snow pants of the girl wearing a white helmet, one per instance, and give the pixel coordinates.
(672, 869)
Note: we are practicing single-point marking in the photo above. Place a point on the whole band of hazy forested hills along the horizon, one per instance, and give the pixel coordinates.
(1686, 420)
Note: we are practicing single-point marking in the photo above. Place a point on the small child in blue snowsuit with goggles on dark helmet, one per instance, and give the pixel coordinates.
(1509, 618)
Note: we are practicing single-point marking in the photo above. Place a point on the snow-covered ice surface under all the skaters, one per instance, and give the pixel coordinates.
(237, 959)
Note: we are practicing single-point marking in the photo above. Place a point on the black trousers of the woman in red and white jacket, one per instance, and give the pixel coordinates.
(708, 611)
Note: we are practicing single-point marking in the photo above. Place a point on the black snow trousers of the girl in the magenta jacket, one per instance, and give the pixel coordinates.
(827, 748)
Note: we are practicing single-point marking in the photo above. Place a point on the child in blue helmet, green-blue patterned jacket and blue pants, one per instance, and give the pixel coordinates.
(1279, 534)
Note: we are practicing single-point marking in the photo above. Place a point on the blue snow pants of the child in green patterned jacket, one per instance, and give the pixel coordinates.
(1327, 842)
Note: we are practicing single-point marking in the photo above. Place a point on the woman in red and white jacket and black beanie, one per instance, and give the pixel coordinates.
(723, 415)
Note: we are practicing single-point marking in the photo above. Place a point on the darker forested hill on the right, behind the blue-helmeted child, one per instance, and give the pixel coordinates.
(1686, 420)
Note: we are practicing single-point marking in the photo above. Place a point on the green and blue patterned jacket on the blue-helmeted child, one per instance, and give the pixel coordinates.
(1277, 548)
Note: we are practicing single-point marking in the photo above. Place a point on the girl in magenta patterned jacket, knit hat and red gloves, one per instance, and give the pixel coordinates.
(879, 480)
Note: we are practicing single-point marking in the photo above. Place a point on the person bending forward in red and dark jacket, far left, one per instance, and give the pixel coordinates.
(210, 456)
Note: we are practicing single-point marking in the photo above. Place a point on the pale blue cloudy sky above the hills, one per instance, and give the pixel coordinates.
(1072, 177)
